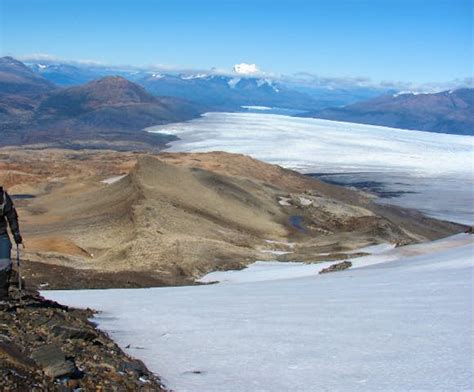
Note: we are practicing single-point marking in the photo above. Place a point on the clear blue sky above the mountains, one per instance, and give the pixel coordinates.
(413, 41)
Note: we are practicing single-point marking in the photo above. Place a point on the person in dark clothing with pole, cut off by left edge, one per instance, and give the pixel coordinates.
(7, 214)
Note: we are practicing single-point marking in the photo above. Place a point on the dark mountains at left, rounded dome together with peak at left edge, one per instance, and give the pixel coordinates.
(109, 112)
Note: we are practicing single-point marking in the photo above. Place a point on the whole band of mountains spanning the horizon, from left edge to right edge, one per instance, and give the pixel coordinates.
(85, 106)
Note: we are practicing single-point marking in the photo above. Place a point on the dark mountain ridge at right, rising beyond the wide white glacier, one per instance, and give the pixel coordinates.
(445, 112)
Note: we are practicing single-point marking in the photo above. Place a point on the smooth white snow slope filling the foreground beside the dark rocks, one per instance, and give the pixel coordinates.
(404, 324)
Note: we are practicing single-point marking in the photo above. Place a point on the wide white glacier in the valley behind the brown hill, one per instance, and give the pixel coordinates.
(438, 168)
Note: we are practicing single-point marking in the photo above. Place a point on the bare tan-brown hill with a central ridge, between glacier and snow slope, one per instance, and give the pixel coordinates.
(175, 217)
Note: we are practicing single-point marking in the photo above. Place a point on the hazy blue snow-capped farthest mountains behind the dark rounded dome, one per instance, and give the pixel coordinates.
(217, 91)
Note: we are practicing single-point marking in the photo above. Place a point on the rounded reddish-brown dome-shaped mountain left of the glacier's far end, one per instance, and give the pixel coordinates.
(111, 104)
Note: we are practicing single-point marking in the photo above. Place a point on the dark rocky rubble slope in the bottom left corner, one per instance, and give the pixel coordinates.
(45, 346)
